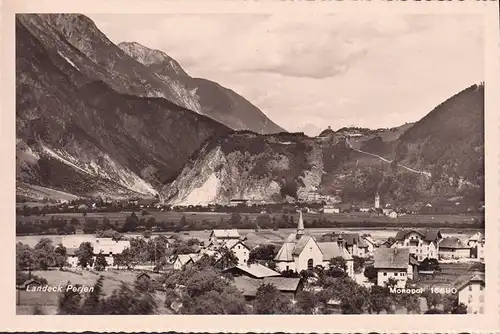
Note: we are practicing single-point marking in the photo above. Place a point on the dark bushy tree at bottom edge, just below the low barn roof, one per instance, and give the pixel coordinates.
(269, 300)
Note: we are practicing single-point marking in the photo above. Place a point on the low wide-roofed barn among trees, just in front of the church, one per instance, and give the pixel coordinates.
(248, 286)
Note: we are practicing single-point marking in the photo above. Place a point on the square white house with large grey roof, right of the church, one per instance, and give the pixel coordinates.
(395, 263)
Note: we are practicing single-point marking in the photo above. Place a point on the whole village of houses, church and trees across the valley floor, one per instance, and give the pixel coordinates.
(421, 259)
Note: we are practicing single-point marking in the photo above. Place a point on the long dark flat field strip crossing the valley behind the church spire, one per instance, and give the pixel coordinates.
(356, 217)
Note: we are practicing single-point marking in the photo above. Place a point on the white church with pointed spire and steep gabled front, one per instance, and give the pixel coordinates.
(302, 252)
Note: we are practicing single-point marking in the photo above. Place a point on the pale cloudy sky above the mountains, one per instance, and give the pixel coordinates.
(311, 71)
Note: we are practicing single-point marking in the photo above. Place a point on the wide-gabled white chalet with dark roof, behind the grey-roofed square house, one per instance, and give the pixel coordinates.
(422, 243)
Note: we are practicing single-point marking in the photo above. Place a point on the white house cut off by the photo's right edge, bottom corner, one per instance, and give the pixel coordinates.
(471, 293)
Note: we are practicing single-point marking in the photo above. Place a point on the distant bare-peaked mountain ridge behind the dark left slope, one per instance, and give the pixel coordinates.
(213, 100)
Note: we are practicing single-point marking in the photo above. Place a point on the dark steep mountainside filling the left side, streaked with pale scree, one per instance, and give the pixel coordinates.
(77, 134)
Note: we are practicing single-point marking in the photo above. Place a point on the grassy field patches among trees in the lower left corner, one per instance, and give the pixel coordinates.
(26, 300)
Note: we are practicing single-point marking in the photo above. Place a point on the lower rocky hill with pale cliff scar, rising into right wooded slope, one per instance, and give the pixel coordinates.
(399, 163)
